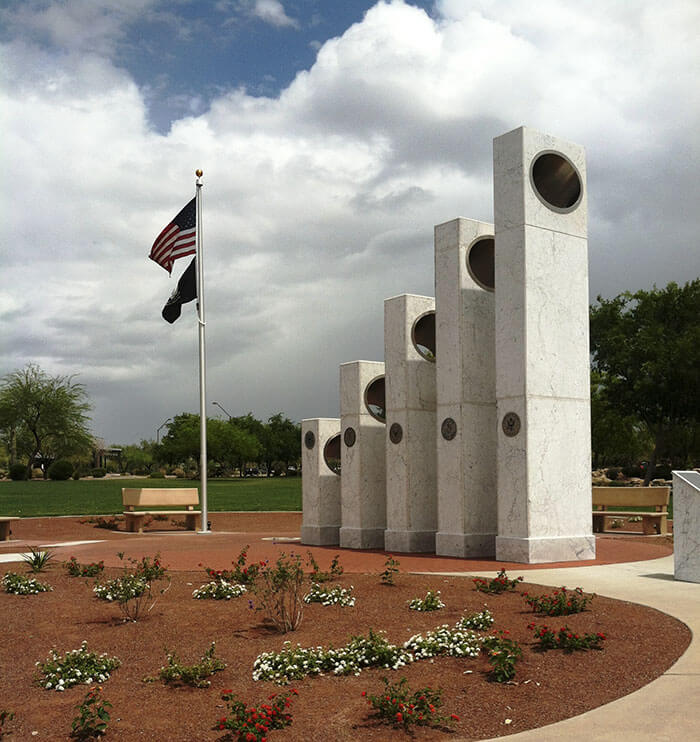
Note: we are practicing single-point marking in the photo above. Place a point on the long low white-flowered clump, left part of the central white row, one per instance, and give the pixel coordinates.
(358, 654)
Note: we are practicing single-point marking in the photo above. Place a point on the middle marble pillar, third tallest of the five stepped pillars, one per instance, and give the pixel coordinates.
(409, 352)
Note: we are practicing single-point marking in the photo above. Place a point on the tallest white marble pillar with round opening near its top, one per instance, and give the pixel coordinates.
(542, 361)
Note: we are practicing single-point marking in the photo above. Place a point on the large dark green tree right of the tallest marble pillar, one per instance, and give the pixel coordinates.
(646, 349)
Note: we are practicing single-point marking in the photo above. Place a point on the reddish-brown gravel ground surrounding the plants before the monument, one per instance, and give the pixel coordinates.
(641, 643)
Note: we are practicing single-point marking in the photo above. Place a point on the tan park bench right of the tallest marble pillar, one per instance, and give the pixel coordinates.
(608, 501)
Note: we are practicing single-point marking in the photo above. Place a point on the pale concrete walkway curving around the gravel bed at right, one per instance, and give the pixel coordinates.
(666, 710)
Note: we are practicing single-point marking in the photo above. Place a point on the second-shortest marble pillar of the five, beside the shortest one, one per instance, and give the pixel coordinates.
(363, 484)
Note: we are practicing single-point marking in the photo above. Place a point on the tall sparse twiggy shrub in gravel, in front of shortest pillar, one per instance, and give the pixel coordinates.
(279, 592)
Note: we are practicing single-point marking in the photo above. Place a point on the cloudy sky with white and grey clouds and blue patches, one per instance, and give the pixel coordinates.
(333, 135)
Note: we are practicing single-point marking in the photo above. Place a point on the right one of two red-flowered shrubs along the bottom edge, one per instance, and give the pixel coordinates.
(399, 706)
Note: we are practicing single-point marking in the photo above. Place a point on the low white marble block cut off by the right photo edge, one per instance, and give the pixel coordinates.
(686, 525)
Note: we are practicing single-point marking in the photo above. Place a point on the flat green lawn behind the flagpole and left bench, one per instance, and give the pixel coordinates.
(104, 496)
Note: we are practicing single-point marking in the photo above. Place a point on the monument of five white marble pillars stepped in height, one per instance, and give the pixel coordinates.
(472, 439)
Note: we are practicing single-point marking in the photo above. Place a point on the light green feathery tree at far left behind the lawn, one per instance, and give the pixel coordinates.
(43, 416)
